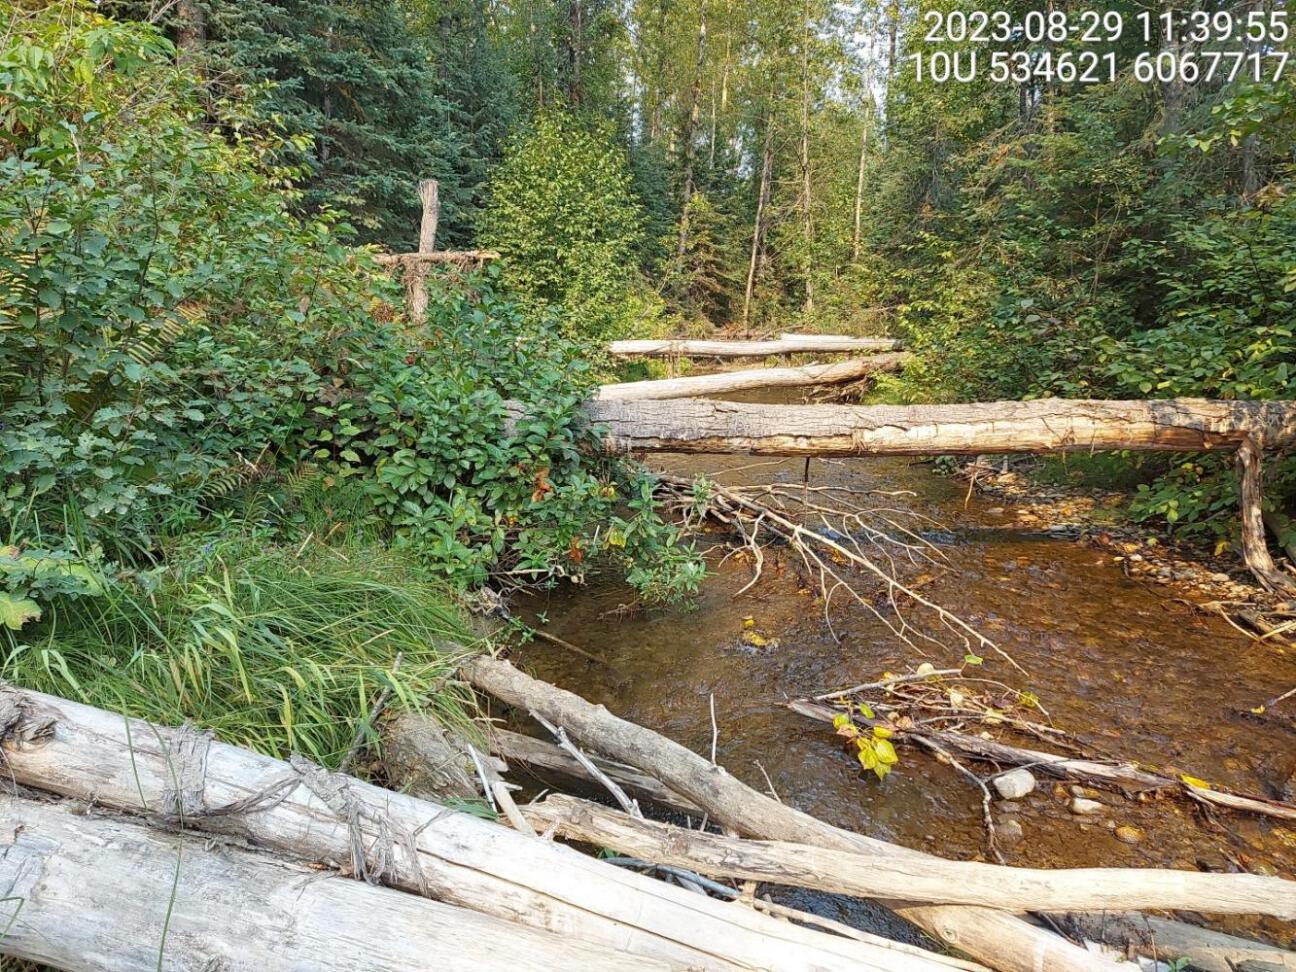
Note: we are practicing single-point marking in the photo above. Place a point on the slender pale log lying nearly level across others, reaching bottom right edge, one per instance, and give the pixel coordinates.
(930, 879)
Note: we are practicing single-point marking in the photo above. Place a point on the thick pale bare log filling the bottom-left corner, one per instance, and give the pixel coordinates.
(94, 894)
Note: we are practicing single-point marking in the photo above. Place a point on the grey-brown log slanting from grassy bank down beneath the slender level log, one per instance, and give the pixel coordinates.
(993, 938)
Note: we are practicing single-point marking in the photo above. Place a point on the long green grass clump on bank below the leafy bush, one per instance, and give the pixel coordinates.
(274, 650)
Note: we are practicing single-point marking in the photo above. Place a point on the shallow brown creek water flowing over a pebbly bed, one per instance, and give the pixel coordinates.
(1126, 668)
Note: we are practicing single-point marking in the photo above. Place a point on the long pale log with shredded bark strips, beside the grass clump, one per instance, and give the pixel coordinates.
(305, 813)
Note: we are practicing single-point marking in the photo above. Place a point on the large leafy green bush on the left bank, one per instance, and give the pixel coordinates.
(174, 340)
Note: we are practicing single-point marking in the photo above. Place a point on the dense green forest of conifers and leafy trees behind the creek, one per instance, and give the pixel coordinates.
(659, 167)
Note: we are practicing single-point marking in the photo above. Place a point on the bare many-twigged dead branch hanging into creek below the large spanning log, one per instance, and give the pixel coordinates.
(829, 533)
